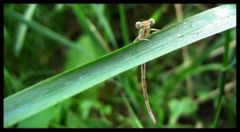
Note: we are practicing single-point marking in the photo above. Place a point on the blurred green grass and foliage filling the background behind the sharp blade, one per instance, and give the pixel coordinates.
(97, 29)
